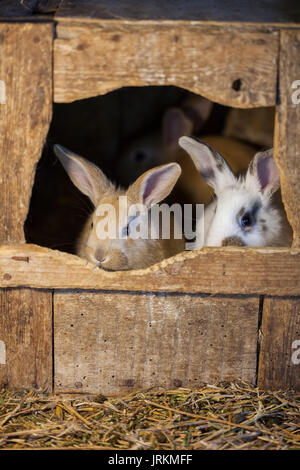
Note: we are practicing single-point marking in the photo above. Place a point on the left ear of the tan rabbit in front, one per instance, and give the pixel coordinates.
(86, 176)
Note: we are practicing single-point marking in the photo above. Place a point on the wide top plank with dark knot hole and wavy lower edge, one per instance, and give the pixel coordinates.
(94, 58)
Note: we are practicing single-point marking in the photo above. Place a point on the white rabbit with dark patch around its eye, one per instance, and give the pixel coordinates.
(247, 210)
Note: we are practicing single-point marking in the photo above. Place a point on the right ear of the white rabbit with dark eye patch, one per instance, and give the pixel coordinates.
(265, 172)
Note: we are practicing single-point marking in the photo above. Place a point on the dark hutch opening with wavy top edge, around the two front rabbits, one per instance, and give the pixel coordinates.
(123, 132)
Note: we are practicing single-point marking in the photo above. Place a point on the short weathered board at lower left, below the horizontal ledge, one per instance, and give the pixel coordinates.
(25, 333)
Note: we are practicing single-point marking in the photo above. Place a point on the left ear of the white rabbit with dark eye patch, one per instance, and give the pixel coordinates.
(211, 166)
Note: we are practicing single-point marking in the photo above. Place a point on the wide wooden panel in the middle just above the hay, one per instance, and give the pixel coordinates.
(114, 343)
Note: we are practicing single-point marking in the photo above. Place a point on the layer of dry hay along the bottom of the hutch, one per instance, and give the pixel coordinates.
(230, 416)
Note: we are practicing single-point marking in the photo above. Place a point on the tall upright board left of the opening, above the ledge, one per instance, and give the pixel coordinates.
(25, 112)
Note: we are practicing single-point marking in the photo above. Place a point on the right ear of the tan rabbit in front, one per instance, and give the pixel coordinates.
(154, 185)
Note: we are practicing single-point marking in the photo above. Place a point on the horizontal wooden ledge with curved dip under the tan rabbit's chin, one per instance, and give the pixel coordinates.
(226, 270)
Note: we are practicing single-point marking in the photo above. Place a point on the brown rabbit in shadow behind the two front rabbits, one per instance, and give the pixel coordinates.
(161, 147)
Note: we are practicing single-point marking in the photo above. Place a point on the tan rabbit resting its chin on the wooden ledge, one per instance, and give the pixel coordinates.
(123, 251)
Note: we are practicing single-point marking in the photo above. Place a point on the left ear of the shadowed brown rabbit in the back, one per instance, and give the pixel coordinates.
(175, 124)
